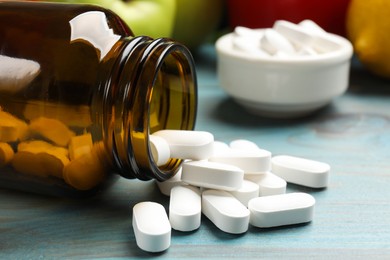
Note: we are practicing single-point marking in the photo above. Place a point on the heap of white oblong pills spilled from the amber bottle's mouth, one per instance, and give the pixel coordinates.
(233, 185)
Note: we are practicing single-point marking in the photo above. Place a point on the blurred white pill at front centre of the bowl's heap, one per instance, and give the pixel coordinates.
(274, 42)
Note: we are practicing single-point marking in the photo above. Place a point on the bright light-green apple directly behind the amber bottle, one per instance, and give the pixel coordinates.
(154, 18)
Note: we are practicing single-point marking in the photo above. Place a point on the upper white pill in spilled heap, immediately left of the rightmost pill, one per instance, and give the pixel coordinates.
(248, 160)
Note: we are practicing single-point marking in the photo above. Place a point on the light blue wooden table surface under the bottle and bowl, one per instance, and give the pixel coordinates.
(352, 215)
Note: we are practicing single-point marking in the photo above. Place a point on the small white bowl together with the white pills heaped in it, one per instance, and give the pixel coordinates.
(288, 70)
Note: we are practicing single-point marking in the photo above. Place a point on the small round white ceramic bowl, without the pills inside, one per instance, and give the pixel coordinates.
(283, 87)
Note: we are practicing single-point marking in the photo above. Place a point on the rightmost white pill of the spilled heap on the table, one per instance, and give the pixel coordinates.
(301, 171)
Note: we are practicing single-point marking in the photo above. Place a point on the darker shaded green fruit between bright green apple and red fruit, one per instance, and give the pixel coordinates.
(196, 20)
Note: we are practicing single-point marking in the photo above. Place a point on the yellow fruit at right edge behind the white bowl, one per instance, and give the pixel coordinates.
(368, 27)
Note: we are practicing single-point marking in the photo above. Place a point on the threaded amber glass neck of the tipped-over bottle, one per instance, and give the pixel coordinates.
(152, 87)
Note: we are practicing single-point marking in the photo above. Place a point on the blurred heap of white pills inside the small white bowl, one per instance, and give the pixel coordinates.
(285, 39)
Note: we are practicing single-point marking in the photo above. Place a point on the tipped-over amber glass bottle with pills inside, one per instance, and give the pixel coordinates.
(80, 95)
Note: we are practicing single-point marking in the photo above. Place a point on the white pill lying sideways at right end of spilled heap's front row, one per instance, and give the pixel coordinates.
(280, 210)
